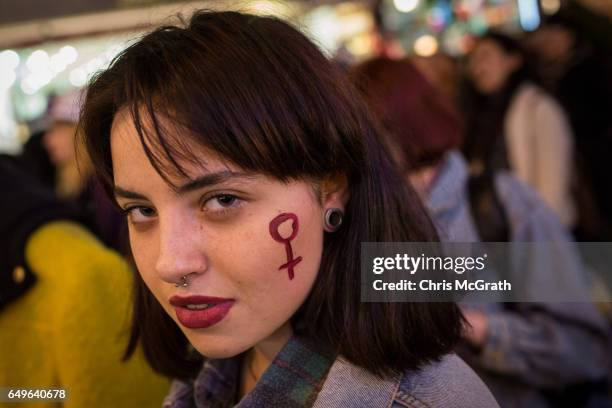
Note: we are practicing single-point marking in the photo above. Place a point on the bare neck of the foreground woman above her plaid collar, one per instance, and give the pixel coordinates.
(259, 358)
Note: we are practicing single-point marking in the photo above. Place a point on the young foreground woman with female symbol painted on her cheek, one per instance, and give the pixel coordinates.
(250, 174)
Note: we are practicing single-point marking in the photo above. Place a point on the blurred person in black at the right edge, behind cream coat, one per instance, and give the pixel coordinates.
(579, 75)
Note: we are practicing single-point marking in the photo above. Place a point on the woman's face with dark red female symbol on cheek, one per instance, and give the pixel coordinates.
(229, 233)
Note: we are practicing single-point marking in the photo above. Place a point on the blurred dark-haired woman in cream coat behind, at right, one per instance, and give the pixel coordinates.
(513, 124)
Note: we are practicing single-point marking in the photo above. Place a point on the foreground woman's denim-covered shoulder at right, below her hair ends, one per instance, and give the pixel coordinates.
(448, 382)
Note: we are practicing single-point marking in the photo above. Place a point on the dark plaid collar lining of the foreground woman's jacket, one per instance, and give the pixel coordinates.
(293, 380)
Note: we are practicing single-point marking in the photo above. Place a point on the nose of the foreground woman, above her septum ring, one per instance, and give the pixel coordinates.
(181, 249)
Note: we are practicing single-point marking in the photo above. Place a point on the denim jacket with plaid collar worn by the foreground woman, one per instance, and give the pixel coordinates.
(301, 377)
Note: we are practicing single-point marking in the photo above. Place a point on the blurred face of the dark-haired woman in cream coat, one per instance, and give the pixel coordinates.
(489, 66)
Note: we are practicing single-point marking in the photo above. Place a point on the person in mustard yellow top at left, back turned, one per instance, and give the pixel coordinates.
(64, 305)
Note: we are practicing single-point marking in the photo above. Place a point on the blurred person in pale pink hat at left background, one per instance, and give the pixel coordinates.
(74, 175)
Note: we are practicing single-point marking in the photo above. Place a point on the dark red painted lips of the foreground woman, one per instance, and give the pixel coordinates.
(216, 310)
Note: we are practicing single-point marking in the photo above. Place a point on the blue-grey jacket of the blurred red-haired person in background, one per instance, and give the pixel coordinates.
(537, 345)
